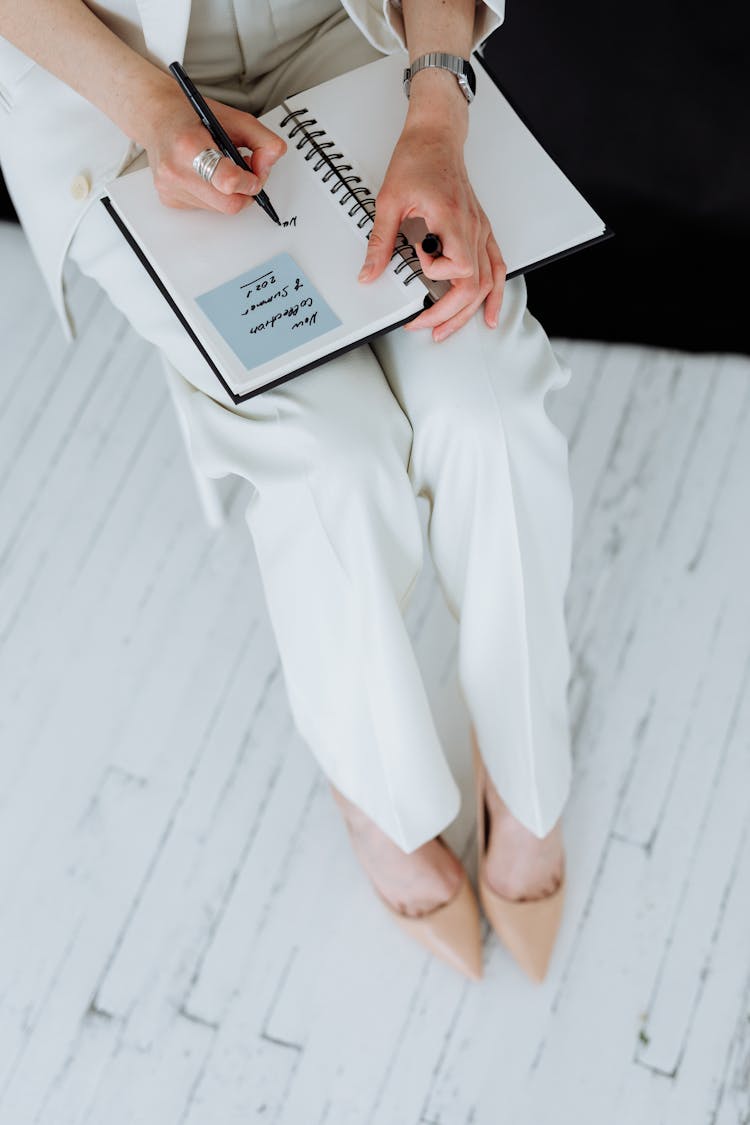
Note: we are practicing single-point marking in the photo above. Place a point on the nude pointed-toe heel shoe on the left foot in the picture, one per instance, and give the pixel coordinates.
(451, 932)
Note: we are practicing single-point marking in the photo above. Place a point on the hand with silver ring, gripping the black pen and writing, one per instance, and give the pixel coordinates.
(177, 139)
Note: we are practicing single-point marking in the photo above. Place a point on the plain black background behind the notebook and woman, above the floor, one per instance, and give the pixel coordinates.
(646, 110)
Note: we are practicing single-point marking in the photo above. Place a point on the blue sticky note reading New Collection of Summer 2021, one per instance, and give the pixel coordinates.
(268, 311)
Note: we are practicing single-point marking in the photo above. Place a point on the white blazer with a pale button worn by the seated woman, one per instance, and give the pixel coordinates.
(59, 152)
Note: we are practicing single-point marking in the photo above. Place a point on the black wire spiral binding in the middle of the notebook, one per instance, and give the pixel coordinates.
(355, 191)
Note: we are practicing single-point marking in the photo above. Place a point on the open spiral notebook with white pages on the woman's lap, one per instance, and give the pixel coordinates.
(264, 304)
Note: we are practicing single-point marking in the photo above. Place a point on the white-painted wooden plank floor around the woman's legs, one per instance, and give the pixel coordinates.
(185, 934)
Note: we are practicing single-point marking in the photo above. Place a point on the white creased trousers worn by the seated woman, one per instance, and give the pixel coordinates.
(338, 457)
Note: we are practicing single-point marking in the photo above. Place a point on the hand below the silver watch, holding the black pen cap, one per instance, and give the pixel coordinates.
(427, 177)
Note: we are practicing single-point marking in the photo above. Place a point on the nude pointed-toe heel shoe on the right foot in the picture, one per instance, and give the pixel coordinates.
(528, 930)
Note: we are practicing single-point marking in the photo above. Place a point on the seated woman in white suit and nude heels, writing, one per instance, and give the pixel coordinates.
(450, 408)
